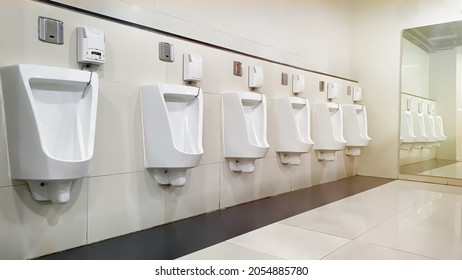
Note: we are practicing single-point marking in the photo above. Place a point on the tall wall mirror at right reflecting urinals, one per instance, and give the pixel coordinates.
(431, 101)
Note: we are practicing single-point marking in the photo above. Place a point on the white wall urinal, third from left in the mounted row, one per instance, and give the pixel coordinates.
(244, 129)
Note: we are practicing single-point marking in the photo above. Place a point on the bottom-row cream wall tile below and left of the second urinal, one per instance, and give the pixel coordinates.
(123, 203)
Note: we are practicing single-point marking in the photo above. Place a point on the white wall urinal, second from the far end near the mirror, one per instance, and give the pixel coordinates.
(328, 130)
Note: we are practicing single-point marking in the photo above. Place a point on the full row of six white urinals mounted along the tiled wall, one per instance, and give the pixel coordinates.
(50, 116)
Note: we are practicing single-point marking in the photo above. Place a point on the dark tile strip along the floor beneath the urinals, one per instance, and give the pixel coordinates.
(173, 240)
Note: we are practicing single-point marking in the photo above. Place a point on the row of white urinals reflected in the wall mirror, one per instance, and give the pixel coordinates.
(420, 130)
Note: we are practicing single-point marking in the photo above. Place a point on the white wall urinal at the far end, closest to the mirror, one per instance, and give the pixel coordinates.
(355, 128)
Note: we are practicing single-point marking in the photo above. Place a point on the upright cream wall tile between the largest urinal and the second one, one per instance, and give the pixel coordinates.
(119, 139)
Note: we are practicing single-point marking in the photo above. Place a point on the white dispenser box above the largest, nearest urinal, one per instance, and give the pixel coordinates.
(90, 46)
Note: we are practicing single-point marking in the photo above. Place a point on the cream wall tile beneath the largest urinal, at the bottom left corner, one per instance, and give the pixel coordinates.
(30, 229)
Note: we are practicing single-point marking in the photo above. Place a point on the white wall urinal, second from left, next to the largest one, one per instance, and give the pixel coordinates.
(172, 126)
